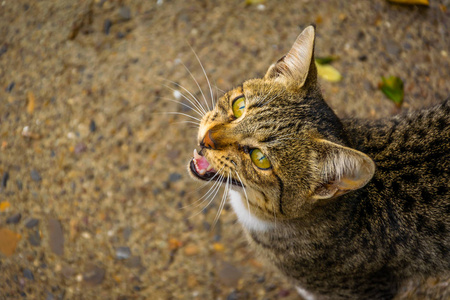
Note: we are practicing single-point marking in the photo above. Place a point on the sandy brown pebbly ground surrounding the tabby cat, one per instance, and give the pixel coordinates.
(93, 169)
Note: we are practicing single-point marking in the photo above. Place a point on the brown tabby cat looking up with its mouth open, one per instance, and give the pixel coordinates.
(346, 209)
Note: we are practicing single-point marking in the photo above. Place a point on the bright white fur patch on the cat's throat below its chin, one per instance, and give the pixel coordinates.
(249, 221)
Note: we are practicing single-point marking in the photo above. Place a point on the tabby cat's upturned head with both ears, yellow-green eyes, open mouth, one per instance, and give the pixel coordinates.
(278, 138)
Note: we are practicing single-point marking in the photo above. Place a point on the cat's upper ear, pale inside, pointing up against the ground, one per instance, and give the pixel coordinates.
(298, 65)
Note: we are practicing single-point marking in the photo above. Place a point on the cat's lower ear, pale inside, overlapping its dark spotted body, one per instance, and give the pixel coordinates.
(342, 170)
